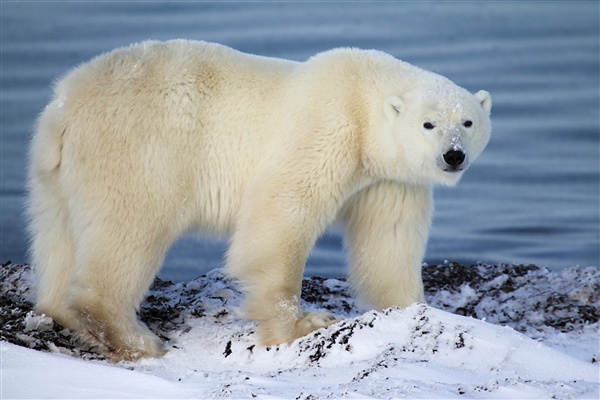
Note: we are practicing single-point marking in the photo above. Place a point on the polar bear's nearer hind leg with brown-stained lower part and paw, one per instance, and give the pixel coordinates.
(111, 282)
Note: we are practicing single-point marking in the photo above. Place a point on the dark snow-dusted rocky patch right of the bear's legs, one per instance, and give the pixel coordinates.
(524, 297)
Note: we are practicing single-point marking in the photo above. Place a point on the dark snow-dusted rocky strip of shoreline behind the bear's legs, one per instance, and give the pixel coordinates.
(530, 299)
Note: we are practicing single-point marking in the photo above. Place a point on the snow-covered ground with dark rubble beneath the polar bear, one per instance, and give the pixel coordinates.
(522, 332)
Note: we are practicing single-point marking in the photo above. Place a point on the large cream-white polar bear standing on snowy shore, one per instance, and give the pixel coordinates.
(147, 142)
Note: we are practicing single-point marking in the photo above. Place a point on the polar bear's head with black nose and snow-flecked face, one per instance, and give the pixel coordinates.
(437, 131)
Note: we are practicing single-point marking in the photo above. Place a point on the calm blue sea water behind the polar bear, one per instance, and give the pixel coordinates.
(532, 197)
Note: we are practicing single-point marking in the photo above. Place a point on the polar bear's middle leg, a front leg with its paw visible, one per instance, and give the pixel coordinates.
(269, 247)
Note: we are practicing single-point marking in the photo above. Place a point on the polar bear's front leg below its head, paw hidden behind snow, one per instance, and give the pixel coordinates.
(387, 227)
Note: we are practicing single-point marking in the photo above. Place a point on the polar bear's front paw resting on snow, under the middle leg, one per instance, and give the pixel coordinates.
(276, 332)
